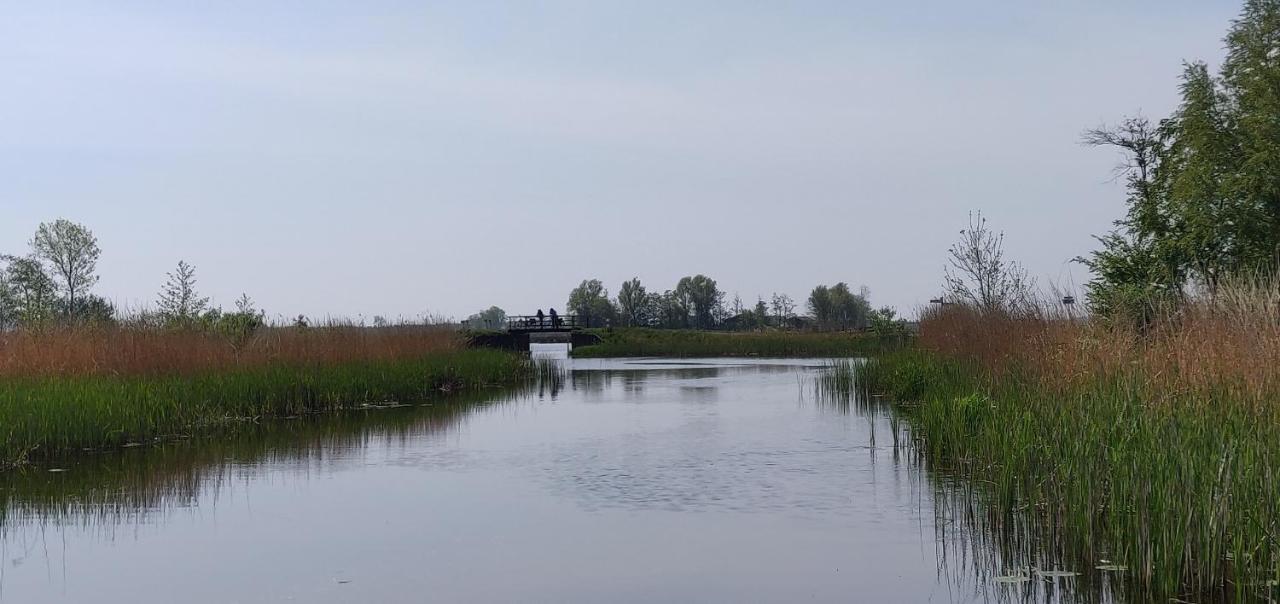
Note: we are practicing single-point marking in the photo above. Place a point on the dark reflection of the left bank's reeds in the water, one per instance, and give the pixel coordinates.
(109, 488)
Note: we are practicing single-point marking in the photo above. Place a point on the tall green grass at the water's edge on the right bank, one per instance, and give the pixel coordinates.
(1185, 493)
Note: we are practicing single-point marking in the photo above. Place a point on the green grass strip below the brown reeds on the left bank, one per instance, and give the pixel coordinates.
(48, 417)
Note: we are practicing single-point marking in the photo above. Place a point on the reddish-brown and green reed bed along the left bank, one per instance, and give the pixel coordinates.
(66, 391)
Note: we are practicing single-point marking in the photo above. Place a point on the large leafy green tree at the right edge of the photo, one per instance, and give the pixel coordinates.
(1205, 186)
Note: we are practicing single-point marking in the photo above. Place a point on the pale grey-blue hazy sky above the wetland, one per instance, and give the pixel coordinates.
(395, 158)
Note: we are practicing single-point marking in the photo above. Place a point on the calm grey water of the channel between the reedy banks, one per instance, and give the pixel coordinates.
(634, 481)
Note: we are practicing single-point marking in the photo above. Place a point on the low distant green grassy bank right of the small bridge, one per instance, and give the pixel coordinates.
(638, 342)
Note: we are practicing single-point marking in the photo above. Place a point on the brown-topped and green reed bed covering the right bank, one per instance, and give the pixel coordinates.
(1151, 455)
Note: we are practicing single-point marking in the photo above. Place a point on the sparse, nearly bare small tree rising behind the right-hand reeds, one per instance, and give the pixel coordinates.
(980, 276)
